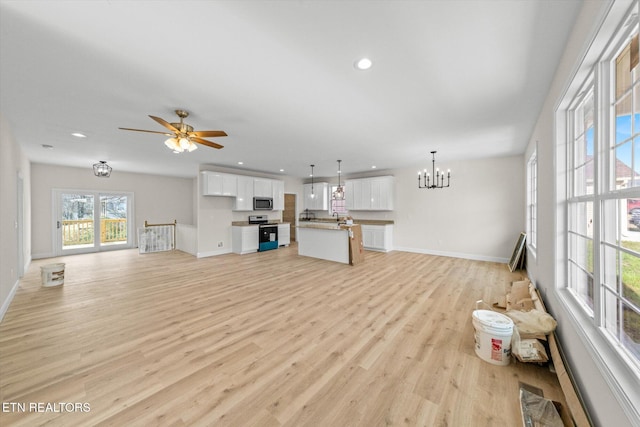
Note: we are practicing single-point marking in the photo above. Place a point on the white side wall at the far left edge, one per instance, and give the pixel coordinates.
(13, 166)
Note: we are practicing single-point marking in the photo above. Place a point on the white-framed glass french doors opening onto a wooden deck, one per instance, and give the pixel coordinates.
(90, 221)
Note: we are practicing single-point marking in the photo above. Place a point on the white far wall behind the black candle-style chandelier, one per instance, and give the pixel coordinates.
(480, 216)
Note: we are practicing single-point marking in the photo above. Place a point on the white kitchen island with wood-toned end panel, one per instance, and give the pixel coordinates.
(330, 241)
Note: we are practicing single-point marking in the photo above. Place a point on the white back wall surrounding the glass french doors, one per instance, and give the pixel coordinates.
(157, 199)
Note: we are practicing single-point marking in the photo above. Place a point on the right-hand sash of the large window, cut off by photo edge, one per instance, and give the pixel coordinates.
(620, 235)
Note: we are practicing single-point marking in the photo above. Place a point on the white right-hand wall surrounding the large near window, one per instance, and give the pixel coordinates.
(595, 388)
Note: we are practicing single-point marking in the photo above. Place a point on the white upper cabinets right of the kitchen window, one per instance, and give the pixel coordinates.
(370, 194)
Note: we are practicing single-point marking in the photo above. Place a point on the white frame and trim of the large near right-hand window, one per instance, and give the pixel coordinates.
(619, 369)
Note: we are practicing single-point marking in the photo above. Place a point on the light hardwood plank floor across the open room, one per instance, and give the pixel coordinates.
(267, 339)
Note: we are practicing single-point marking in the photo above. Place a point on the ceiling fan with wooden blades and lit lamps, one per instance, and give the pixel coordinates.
(182, 136)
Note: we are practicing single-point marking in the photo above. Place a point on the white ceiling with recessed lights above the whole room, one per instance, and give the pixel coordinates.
(466, 78)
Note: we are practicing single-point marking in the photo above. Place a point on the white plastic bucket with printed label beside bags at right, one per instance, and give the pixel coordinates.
(493, 336)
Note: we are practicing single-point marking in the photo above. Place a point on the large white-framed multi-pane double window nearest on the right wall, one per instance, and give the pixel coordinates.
(603, 195)
